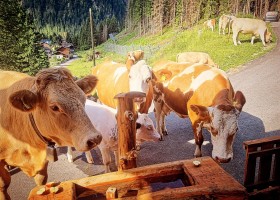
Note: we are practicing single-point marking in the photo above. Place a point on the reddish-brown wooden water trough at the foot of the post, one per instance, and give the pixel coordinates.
(142, 183)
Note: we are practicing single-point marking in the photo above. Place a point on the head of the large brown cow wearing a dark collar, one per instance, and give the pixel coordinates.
(57, 104)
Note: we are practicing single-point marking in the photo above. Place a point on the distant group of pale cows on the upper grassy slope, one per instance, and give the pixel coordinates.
(255, 27)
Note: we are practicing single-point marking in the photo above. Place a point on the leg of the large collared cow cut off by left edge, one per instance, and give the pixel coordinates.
(5, 180)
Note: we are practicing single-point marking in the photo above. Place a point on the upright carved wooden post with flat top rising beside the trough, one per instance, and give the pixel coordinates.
(126, 119)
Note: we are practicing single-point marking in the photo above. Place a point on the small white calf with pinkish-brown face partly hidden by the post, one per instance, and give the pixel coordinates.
(106, 124)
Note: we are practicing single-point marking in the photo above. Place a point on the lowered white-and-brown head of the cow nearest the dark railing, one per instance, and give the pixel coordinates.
(222, 122)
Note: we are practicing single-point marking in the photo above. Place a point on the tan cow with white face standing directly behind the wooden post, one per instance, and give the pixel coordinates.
(118, 78)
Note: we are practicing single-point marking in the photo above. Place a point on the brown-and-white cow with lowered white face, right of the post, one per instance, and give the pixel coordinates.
(205, 95)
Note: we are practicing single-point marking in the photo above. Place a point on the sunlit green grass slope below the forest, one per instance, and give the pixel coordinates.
(174, 41)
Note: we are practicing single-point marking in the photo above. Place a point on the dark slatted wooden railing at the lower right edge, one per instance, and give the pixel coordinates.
(262, 167)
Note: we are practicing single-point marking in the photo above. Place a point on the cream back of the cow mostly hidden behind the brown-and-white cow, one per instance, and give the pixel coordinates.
(196, 57)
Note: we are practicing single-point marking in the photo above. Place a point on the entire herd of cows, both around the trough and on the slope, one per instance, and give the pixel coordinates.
(51, 108)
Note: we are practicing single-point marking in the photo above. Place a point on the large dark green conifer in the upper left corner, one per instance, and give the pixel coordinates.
(19, 45)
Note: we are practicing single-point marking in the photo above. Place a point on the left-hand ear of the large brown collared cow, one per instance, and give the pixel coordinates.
(24, 100)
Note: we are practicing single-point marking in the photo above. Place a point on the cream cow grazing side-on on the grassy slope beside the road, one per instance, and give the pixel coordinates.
(256, 27)
